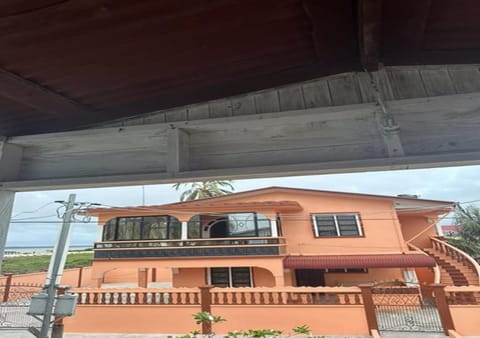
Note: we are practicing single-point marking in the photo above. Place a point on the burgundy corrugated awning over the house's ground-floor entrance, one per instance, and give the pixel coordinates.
(358, 261)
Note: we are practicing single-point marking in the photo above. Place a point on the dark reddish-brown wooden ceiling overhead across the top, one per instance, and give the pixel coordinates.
(69, 63)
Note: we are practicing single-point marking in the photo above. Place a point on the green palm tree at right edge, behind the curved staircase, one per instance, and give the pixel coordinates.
(468, 238)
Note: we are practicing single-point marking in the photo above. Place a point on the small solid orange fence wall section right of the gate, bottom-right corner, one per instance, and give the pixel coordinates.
(466, 319)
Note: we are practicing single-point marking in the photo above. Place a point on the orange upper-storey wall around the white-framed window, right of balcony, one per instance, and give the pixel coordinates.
(380, 226)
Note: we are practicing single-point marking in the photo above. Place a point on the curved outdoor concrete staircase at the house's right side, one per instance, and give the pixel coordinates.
(453, 272)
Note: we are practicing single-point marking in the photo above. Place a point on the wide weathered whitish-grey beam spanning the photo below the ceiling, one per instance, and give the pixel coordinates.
(436, 131)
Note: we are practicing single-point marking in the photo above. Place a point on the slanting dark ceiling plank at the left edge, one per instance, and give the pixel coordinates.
(34, 95)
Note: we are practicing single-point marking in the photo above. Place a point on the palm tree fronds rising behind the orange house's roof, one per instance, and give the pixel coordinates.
(204, 189)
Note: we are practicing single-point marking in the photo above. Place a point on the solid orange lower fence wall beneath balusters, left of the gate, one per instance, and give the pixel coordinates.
(178, 319)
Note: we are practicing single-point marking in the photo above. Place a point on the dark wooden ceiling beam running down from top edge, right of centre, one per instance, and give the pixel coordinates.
(370, 14)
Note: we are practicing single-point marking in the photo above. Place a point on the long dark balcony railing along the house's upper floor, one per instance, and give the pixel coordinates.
(244, 246)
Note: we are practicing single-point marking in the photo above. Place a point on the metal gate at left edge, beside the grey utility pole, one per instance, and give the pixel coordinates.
(15, 301)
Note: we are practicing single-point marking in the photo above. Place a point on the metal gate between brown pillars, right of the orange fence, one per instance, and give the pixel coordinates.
(401, 308)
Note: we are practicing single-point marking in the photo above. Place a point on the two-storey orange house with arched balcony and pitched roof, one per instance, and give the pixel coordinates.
(270, 237)
